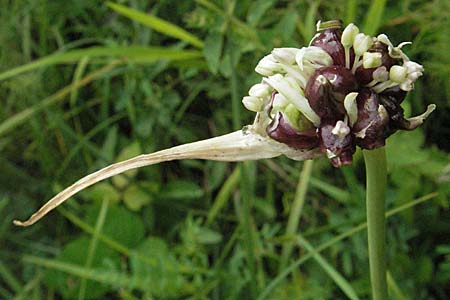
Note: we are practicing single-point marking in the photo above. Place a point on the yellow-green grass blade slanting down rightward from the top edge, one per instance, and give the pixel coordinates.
(157, 24)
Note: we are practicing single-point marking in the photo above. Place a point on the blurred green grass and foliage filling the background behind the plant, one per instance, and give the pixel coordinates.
(87, 83)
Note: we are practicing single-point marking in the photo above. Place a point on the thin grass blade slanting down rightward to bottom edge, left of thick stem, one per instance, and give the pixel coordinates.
(343, 284)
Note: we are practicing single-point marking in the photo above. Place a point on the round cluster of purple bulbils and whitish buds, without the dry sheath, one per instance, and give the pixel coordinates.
(344, 90)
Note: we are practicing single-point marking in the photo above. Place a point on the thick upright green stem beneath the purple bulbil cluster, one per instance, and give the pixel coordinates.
(376, 230)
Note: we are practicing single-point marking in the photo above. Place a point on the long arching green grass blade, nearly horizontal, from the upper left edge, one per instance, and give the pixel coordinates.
(130, 53)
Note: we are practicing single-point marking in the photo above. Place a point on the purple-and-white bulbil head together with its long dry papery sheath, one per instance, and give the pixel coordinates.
(343, 90)
